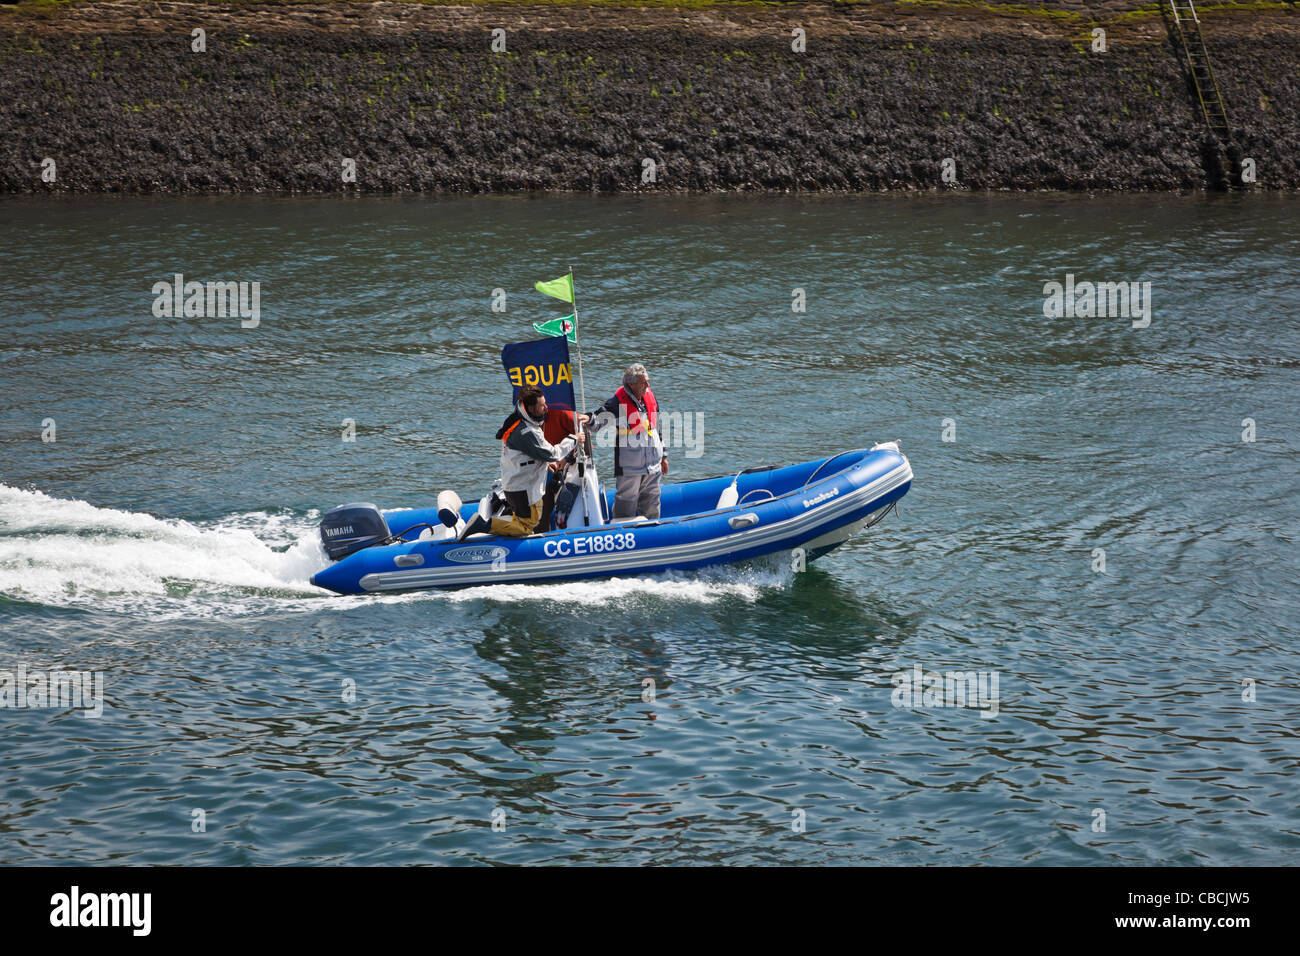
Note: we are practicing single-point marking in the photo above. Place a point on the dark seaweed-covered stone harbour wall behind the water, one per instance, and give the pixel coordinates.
(707, 97)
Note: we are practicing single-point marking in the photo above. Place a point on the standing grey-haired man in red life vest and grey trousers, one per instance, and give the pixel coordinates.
(639, 458)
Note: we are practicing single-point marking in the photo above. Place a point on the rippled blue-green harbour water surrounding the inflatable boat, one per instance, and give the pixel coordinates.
(167, 537)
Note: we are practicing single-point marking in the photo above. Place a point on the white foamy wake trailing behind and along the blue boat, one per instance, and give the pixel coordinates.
(70, 553)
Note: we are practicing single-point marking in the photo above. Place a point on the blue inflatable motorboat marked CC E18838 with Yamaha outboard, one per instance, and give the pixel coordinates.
(808, 509)
